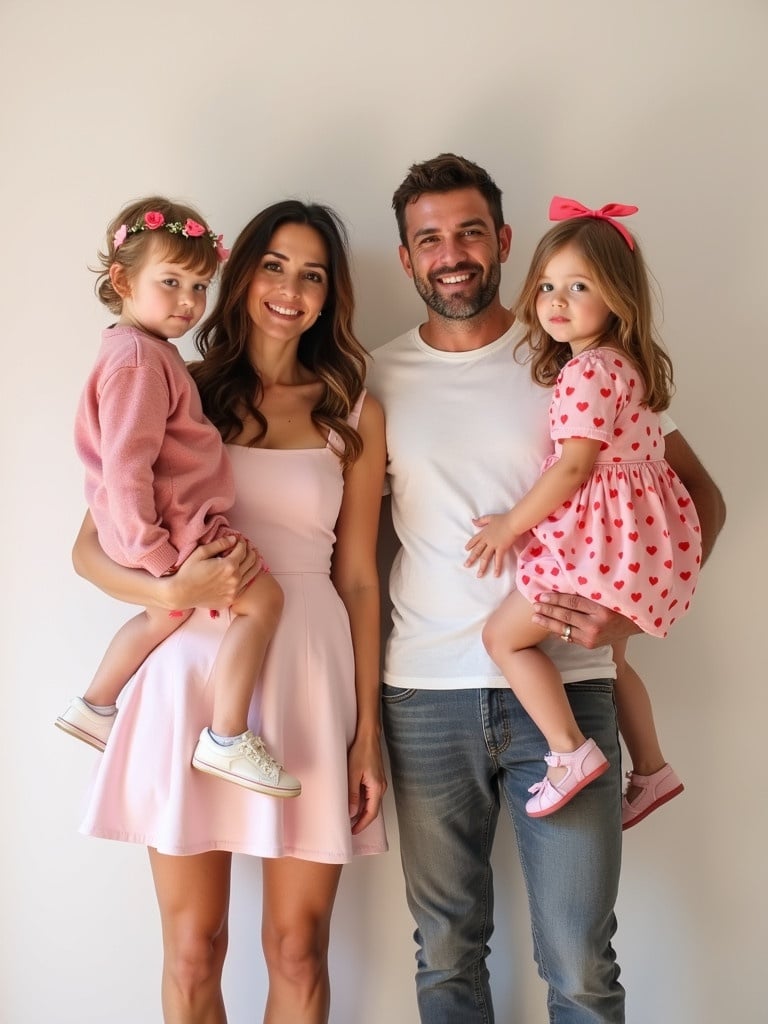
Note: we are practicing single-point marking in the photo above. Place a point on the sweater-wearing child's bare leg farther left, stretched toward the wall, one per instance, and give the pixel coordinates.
(131, 646)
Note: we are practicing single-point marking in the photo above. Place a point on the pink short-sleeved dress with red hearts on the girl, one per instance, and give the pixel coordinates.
(629, 538)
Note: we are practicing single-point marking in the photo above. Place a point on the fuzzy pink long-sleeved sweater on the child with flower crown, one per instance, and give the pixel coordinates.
(157, 477)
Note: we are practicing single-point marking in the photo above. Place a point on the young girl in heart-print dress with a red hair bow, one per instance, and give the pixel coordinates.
(609, 519)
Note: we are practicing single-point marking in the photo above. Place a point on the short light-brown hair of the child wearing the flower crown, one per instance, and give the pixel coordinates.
(196, 254)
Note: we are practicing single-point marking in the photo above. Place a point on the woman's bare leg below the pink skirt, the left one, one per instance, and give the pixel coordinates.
(194, 901)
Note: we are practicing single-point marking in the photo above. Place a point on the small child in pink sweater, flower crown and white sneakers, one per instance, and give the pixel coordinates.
(159, 484)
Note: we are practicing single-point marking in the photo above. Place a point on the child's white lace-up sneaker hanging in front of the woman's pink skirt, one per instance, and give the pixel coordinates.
(246, 763)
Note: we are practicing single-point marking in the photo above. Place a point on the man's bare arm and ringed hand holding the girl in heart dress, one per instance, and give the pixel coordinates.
(592, 625)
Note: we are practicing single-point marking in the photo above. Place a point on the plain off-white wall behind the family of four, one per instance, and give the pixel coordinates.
(234, 106)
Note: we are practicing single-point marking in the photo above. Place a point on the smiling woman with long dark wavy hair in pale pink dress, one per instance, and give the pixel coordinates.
(282, 379)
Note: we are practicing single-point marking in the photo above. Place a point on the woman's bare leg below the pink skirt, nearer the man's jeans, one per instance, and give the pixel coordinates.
(298, 902)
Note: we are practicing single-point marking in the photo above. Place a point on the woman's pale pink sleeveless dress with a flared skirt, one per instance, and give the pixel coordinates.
(145, 789)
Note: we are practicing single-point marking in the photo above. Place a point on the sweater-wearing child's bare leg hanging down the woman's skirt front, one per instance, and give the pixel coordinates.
(241, 656)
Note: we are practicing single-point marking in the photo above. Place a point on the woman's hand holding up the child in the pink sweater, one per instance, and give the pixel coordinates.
(216, 575)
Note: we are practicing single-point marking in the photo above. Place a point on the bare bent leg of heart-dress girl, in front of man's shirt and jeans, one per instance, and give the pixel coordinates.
(510, 637)
